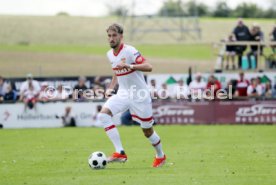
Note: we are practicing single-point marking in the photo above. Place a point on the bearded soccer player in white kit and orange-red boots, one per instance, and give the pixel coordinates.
(133, 94)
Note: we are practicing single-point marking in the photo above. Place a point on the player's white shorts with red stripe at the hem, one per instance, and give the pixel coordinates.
(141, 112)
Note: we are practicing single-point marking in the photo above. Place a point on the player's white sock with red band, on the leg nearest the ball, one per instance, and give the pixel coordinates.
(111, 131)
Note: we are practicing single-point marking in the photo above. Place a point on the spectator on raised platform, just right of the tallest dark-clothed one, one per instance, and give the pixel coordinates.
(255, 35)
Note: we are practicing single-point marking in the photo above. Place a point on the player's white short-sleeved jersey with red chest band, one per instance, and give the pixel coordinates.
(131, 82)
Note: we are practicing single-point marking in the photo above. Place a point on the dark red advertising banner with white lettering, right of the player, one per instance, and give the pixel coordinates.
(214, 112)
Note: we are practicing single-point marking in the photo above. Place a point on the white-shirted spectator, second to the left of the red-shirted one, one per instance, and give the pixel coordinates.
(181, 90)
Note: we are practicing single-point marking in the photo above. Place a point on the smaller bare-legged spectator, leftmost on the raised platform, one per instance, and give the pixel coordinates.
(230, 53)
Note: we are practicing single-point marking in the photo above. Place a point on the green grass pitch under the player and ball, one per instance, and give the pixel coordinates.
(207, 155)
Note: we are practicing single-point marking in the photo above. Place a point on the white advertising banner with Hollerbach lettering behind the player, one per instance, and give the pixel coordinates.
(48, 114)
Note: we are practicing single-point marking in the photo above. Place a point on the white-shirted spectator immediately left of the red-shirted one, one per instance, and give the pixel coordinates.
(197, 87)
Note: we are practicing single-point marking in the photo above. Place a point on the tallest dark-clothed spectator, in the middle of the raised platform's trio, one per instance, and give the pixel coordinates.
(241, 33)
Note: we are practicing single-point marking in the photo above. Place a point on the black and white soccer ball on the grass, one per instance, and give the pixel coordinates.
(97, 160)
